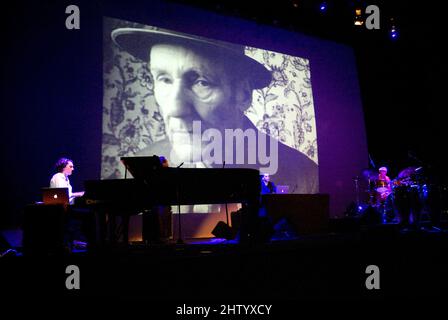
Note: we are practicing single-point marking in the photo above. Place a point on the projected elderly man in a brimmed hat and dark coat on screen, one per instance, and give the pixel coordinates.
(202, 89)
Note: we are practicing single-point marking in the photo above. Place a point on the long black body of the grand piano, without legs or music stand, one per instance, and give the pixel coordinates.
(170, 186)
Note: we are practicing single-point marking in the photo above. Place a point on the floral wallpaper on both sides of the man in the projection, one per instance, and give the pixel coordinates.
(131, 119)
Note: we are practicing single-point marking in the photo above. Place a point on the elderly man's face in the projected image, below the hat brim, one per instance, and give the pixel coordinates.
(189, 86)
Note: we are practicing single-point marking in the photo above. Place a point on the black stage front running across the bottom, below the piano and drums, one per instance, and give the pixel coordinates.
(308, 272)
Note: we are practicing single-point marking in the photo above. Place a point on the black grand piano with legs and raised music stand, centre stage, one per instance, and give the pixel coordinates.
(153, 185)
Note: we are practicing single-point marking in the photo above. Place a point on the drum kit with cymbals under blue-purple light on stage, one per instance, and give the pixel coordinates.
(387, 196)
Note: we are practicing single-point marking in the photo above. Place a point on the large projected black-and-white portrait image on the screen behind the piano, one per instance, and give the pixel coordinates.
(205, 103)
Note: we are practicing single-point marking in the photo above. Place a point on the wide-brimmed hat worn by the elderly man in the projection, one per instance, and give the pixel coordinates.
(138, 41)
